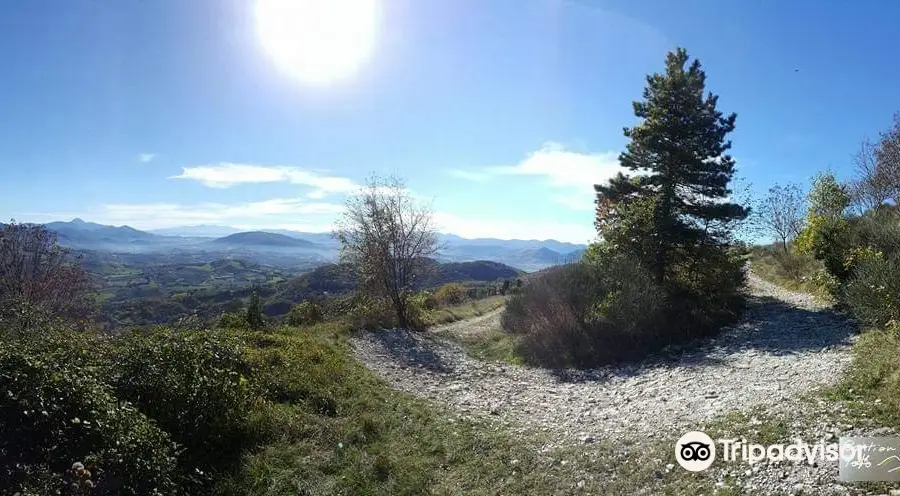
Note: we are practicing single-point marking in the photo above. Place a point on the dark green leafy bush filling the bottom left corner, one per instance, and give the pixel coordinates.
(56, 411)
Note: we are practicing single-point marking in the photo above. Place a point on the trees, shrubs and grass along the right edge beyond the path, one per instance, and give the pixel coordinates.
(847, 247)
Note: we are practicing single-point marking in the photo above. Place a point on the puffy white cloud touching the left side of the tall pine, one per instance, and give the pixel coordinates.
(573, 173)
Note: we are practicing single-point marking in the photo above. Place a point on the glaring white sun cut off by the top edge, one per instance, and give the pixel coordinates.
(317, 41)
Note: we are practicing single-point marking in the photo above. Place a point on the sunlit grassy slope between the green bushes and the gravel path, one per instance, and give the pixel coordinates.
(337, 429)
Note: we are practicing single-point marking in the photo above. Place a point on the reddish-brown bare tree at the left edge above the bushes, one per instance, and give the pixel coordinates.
(39, 281)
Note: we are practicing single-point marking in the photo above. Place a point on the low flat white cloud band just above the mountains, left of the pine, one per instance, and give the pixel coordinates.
(512, 229)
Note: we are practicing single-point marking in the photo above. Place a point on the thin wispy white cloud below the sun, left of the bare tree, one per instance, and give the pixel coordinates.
(226, 175)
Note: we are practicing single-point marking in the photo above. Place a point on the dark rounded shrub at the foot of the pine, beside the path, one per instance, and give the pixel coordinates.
(601, 310)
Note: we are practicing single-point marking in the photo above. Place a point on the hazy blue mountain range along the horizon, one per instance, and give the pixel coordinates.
(290, 248)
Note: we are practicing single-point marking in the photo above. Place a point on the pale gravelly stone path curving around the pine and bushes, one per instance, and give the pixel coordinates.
(787, 345)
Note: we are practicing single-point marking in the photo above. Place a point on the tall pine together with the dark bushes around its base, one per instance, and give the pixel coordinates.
(668, 269)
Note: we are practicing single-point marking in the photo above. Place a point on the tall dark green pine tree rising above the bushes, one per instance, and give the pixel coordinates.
(674, 211)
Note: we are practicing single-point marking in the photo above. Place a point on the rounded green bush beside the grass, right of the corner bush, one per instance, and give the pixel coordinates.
(193, 384)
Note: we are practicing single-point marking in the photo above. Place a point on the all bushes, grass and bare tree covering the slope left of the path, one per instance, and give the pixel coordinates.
(246, 405)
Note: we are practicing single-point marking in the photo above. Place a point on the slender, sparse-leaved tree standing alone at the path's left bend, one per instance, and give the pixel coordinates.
(386, 235)
